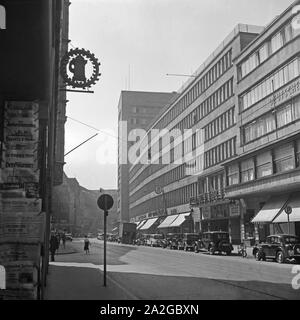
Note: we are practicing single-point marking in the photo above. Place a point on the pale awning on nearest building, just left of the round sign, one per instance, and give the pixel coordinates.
(271, 209)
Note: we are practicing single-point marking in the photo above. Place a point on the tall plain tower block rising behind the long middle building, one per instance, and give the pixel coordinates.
(136, 110)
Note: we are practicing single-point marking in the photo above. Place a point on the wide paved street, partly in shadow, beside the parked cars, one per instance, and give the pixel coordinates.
(156, 274)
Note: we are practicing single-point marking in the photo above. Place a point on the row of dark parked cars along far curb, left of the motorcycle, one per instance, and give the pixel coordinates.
(213, 242)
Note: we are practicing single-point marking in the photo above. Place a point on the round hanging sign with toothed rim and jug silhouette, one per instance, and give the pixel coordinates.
(74, 66)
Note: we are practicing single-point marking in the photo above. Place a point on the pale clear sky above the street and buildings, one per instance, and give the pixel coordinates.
(139, 42)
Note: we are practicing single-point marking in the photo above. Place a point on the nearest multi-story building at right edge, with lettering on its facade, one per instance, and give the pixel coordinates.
(265, 174)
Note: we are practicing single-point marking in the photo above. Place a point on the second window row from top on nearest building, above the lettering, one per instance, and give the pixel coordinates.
(277, 80)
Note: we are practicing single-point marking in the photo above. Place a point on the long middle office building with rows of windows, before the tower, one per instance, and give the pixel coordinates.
(188, 166)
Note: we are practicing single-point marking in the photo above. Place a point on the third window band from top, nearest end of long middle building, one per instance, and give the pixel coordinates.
(219, 125)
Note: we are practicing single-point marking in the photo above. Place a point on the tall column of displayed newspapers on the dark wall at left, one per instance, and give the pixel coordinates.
(21, 221)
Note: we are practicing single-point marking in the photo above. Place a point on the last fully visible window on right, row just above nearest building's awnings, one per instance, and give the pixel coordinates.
(284, 158)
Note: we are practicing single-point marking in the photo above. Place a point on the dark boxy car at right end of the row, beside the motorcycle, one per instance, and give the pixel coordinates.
(216, 241)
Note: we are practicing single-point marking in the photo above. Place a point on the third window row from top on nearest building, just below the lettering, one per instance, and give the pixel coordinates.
(271, 121)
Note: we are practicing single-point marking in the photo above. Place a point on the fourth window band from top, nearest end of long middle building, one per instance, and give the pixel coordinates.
(220, 153)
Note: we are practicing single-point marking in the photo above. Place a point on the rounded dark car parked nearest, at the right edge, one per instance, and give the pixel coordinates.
(280, 247)
